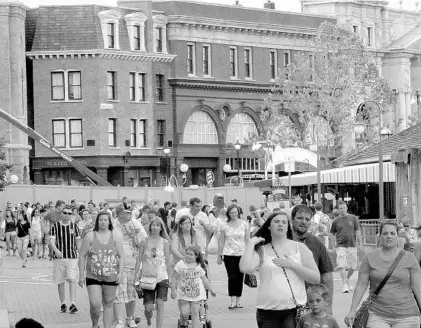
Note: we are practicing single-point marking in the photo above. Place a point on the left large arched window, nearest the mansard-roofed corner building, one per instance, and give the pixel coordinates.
(200, 129)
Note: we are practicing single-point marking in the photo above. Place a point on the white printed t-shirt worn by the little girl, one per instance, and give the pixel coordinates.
(190, 285)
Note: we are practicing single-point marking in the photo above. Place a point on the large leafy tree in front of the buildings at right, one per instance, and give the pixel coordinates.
(316, 98)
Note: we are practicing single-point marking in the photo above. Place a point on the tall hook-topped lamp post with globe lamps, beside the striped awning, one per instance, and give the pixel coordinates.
(359, 128)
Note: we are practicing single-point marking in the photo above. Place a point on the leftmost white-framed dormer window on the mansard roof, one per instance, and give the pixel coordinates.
(110, 28)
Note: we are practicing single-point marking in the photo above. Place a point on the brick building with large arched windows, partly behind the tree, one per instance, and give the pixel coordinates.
(227, 60)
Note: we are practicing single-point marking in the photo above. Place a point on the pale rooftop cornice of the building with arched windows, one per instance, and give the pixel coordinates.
(239, 26)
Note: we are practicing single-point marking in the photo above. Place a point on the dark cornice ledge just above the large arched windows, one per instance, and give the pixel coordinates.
(220, 85)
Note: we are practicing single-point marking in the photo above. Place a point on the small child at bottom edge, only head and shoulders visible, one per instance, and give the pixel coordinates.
(318, 317)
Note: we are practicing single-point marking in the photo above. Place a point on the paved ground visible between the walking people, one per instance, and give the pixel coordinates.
(30, 293)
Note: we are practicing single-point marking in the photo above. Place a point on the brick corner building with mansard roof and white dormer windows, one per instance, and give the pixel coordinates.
(98, 87)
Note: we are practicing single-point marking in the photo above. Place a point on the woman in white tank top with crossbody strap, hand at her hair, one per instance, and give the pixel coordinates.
(272, 251)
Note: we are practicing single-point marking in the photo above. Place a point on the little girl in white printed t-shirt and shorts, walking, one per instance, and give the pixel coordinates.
(189, 283)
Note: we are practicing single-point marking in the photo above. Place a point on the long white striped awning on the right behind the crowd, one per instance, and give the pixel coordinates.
(349, 174)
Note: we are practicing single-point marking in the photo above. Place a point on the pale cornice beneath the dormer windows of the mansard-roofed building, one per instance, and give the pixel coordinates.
(101, 53)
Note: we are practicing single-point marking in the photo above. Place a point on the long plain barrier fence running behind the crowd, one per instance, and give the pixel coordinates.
(113, 195)
